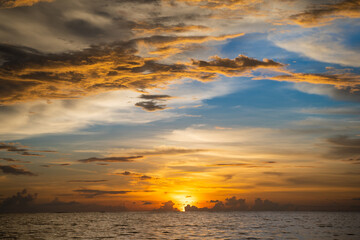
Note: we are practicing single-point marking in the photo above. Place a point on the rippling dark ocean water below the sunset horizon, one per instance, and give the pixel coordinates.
(182, 225)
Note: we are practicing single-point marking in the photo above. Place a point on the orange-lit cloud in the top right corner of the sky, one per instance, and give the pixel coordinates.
(323, 14)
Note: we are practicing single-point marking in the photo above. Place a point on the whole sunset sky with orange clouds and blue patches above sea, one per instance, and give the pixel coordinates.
(160, 104)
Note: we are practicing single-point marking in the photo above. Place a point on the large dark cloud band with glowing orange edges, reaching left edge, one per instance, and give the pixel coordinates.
(29, 75)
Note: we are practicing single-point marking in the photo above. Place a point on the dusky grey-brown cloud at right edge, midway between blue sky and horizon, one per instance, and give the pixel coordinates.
(344, 147)
